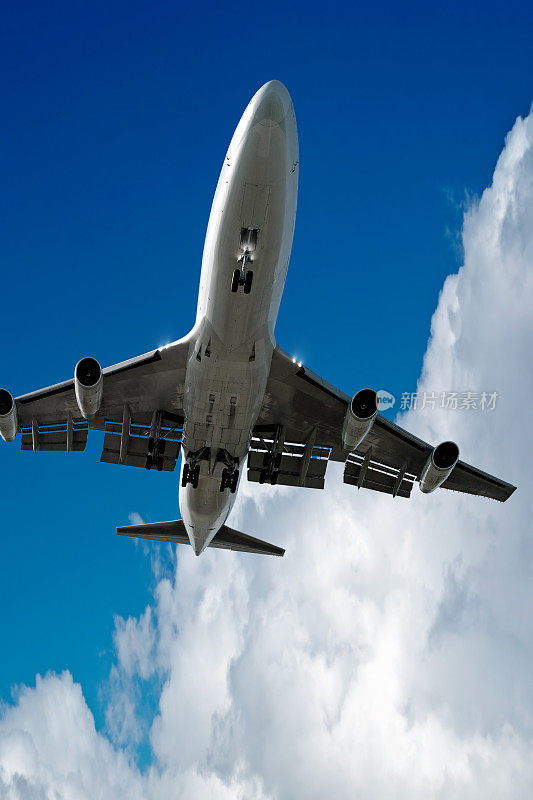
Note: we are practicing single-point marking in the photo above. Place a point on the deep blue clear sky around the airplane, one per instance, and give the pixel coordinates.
(115, 124)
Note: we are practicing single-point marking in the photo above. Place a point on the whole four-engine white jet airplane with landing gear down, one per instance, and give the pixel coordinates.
(226, 394)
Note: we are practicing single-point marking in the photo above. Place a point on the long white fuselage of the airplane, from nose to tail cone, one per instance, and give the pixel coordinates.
(250, 229)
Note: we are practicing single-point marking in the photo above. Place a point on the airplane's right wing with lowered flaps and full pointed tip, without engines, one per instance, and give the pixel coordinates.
(300, 430)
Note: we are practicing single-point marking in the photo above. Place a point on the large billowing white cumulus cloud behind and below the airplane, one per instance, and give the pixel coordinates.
(389, 653)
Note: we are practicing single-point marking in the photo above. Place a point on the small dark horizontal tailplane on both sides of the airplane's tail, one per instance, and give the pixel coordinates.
(226, 538)
